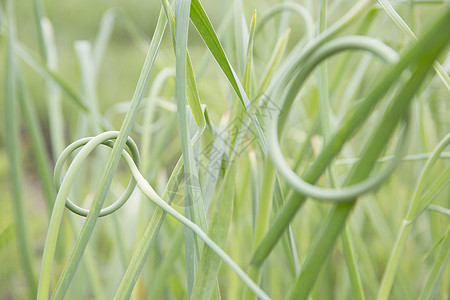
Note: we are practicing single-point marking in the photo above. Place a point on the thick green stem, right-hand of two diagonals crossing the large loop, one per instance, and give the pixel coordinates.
(433, 42)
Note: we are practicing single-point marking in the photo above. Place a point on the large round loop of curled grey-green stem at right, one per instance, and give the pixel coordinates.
(277, 123)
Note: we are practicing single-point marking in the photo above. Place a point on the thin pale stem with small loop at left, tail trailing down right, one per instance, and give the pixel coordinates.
(89, 144)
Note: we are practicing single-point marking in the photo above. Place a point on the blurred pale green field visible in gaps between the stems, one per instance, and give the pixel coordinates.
(75, 20)
